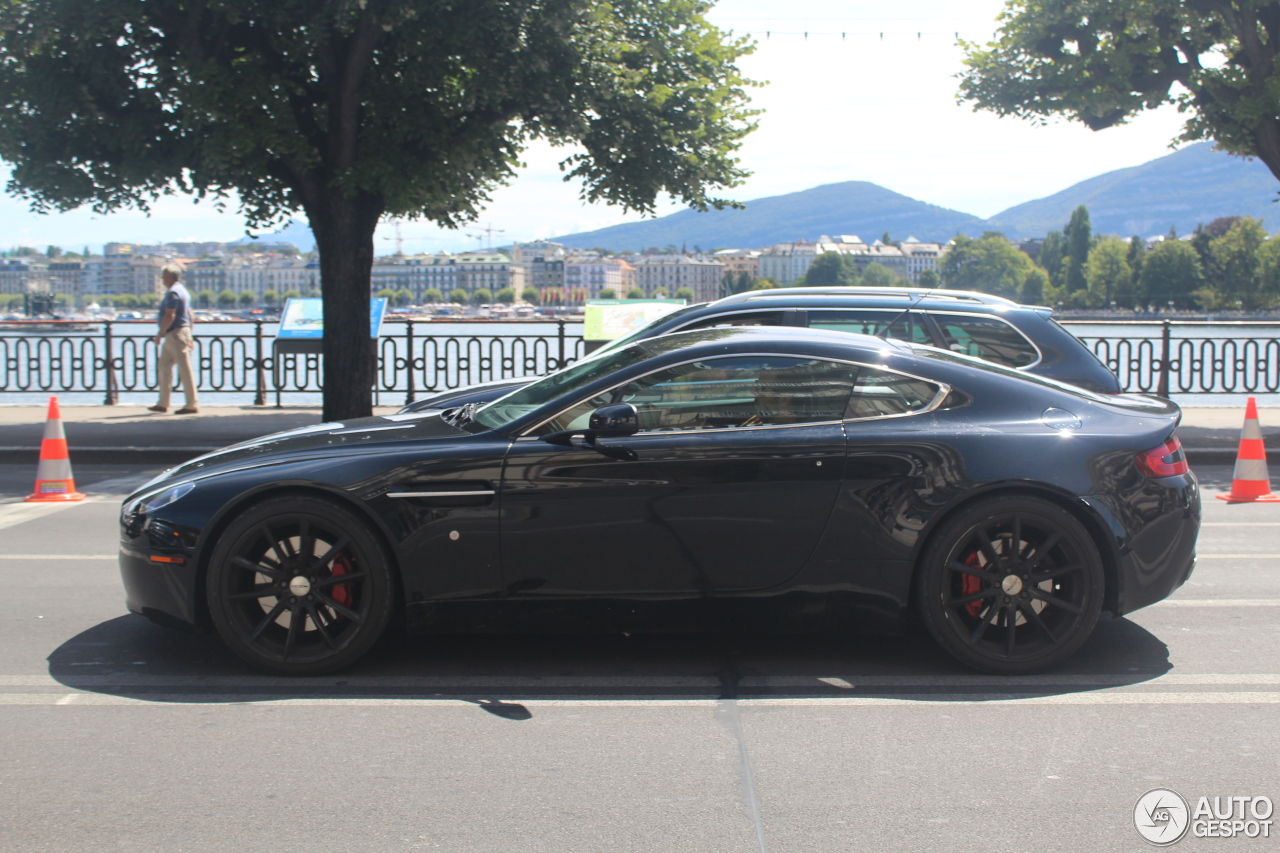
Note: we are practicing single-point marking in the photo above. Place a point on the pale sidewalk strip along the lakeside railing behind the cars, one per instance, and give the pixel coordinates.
(134, 435)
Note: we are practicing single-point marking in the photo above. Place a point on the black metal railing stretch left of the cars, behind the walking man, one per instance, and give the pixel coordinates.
(115, 358)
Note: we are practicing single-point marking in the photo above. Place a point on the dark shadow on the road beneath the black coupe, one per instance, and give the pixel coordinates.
(132, 659)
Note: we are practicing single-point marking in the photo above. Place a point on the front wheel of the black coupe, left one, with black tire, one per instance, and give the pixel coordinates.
(276, 594)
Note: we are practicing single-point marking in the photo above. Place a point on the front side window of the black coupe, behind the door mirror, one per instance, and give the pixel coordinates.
(732, 393)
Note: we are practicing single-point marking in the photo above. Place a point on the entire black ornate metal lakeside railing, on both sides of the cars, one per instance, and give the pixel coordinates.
(415, 358)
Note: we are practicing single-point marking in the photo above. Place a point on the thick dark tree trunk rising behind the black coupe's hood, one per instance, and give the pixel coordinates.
(344, 227)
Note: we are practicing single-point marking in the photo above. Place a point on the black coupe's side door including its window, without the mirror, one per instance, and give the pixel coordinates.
(728, 486)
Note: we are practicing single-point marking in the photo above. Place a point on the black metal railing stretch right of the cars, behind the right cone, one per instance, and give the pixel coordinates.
(1168, 358)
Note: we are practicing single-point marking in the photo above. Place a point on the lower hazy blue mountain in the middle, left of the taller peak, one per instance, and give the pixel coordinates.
(852, 208)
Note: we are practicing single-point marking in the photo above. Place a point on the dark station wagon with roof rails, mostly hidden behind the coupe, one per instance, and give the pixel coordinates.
(991, 329)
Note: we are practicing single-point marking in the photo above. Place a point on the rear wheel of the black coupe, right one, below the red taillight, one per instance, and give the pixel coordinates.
(1004, 608)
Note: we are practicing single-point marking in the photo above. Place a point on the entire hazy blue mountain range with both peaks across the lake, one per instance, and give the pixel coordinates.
(1195, 185)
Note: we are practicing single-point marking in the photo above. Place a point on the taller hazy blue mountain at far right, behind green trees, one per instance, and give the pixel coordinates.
(1195, 185)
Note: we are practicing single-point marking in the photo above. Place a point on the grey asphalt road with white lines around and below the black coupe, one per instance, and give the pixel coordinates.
(118, 736)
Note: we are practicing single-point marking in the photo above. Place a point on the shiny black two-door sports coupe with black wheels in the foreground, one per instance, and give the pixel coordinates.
(762, 478)
